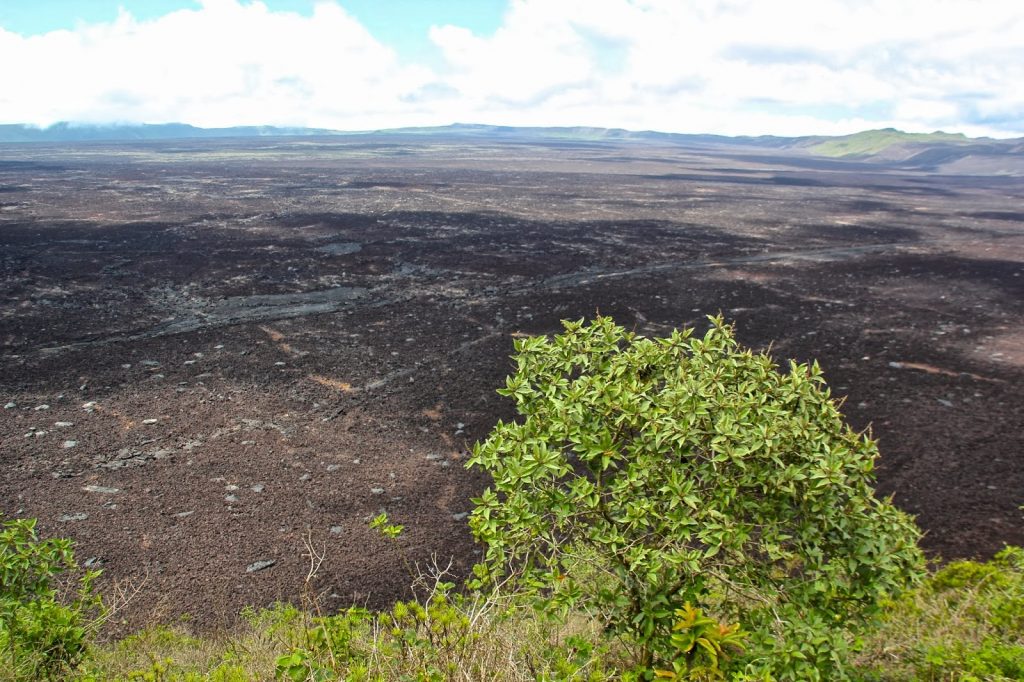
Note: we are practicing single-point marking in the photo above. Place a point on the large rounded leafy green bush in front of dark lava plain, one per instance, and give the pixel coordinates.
(650, 474)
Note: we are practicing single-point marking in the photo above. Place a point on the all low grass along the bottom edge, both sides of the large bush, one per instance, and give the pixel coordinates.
(965, 623)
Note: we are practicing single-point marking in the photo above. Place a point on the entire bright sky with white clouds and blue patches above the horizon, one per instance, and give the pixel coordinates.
(727, 67)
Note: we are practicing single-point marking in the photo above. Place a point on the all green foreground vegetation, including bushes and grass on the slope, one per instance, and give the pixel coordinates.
(671, 508)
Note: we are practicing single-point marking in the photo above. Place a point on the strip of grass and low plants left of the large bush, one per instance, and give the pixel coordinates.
(460, 640)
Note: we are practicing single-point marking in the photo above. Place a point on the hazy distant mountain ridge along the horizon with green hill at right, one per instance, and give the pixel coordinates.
(938, 152)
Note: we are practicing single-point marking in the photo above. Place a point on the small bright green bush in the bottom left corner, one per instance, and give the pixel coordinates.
(47, 604)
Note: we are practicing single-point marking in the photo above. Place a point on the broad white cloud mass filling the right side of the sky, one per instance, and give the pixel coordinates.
(830, 66)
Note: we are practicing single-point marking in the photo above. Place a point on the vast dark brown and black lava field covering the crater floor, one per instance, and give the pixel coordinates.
(214, 352)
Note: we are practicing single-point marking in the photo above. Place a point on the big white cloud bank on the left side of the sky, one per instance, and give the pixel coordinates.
(224, 64)
